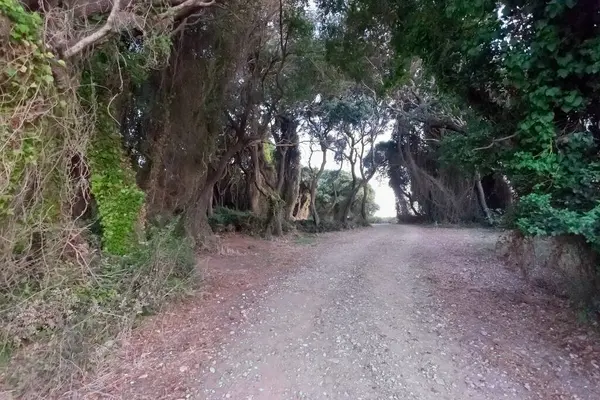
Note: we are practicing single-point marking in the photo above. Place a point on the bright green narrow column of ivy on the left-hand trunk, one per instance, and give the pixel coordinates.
(114, 188)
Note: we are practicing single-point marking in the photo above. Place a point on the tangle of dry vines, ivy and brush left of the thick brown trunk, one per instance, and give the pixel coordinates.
(67, 292)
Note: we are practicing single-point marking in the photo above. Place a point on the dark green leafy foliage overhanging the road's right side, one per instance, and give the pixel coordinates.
(526, 75)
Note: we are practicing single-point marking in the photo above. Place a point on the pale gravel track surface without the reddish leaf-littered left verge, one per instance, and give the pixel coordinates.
(385, 313)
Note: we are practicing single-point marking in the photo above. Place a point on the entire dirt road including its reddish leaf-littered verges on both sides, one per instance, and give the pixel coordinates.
(389, 312)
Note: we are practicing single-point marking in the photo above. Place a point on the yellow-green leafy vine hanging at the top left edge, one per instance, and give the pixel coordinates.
(26, 78)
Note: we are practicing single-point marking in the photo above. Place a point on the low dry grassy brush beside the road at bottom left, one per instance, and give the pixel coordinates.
(59, 329)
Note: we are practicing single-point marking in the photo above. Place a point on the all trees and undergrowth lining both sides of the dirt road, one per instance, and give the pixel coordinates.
(133, 132)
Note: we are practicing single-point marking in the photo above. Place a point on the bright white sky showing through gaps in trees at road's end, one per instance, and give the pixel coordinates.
(384, 195)
